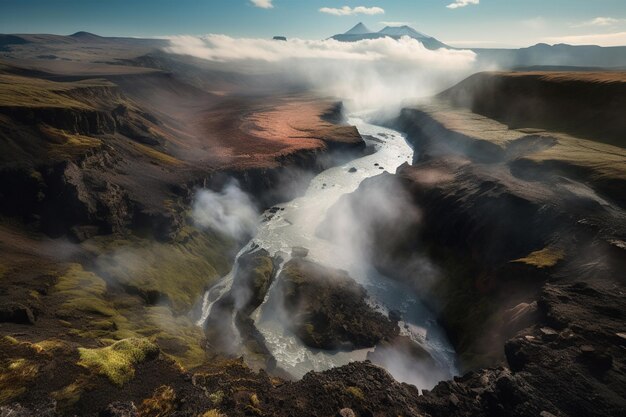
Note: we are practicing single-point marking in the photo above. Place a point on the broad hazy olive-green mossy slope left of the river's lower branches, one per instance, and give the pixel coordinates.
(143, 289)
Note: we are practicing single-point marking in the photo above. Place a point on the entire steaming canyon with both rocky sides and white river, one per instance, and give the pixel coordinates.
(478, 235)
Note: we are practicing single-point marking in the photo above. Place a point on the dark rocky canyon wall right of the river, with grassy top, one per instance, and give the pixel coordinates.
(524, 257)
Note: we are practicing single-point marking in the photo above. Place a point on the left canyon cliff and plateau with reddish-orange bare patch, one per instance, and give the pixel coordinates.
(91, 157)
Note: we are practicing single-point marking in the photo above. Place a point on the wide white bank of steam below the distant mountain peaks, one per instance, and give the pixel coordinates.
(368, 74)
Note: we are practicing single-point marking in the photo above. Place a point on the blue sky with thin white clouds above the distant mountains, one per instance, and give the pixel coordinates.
(461, 23)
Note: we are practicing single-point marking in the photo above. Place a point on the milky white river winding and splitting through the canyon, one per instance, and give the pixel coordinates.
(295, 225)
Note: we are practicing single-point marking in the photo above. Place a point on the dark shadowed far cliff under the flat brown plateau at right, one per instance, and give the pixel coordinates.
(588, 105)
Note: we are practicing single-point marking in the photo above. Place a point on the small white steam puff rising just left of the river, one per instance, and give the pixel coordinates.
(230, 211)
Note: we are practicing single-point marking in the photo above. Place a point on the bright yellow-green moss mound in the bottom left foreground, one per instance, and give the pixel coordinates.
(117, 362)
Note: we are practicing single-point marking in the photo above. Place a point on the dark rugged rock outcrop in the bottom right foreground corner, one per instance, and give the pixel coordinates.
(569, 363)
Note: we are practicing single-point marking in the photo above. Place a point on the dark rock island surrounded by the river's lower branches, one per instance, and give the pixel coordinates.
(329, 309)
